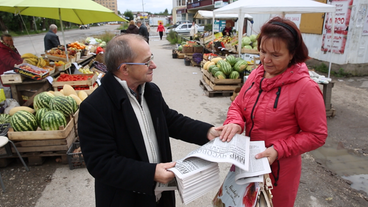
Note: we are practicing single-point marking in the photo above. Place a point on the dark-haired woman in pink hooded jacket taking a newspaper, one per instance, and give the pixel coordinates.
(281, 105)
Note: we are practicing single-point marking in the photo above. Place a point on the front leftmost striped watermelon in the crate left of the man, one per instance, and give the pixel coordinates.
(23, 121)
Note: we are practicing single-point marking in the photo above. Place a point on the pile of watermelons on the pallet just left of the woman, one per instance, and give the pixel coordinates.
(229, 68)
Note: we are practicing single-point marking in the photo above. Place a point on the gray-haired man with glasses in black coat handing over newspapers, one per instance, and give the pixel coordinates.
(124, 129)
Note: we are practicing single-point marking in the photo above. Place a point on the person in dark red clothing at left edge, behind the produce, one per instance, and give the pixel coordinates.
(9, 56)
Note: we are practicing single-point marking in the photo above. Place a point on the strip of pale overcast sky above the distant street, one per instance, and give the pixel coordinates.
(149, 5)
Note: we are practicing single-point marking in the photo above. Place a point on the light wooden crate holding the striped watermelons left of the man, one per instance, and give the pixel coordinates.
(40, 134)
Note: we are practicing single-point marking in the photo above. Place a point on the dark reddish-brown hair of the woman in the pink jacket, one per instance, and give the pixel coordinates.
(285, 30)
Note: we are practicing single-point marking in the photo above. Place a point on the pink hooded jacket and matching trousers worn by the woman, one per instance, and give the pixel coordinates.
(288, 112)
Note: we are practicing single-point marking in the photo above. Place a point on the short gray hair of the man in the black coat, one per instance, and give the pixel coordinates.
(118, 51)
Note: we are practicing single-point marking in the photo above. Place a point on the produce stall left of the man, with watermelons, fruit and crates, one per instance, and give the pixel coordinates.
(35, 84)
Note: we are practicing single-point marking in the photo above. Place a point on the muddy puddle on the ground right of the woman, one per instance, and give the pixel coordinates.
(348, 166)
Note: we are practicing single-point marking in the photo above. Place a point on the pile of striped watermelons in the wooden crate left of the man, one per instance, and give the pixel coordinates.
(51, 112)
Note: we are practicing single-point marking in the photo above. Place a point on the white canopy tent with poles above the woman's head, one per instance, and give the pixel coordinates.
(242, 7)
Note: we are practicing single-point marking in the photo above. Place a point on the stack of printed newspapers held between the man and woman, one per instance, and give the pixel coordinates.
(198, 172)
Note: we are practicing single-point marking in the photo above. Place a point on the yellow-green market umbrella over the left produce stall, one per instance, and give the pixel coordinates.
(75, 11)
